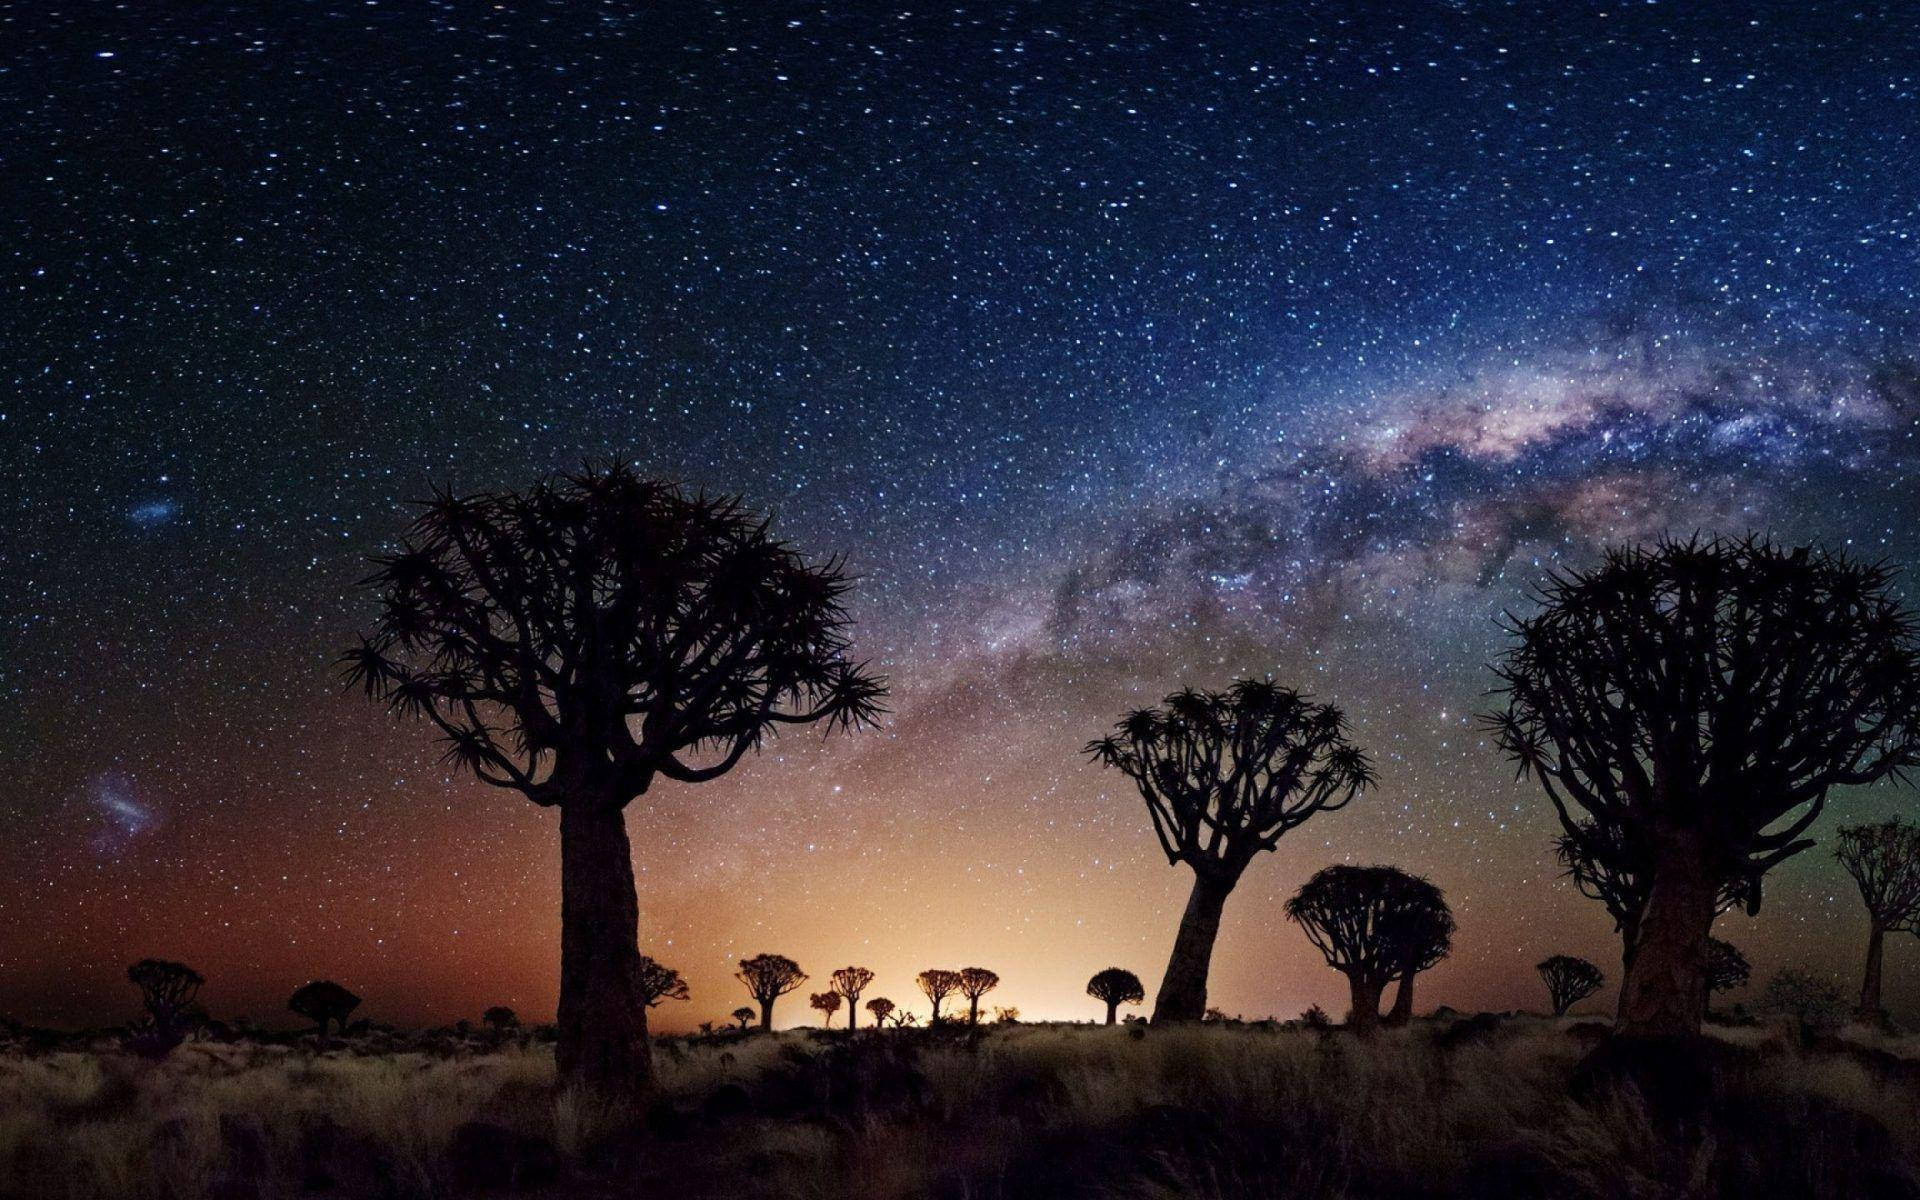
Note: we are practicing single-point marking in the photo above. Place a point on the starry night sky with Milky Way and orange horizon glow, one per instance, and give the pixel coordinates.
(1118, 347)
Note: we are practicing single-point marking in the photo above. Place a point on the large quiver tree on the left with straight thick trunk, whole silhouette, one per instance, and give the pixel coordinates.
(583, 640)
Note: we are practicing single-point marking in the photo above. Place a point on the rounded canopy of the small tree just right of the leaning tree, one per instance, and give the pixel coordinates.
(1372, 921)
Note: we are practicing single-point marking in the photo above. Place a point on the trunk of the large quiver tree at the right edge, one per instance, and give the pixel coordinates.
(1666, 990)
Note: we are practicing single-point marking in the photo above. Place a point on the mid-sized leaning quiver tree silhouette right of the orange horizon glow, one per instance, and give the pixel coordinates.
(1226, 775)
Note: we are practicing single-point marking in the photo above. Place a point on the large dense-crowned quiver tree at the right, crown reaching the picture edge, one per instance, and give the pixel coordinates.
(1694, 704)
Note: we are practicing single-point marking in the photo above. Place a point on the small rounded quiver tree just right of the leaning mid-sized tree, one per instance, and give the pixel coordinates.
(1362, 919)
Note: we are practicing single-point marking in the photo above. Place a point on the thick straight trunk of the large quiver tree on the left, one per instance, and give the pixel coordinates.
(602, 1020)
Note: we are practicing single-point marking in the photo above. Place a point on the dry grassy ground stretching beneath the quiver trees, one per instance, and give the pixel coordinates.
(1441, 1109)
